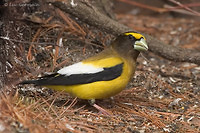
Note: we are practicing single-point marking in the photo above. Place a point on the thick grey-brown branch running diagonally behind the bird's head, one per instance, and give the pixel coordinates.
(90, 15)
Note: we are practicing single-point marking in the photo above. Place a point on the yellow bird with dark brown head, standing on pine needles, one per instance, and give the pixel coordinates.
(101, 76)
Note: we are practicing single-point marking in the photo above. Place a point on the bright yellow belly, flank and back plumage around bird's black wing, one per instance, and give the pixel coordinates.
(101, 89)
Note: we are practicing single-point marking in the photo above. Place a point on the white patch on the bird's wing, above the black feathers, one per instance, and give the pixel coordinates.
(79, 68)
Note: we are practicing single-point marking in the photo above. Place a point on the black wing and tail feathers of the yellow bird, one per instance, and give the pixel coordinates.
(59, 79)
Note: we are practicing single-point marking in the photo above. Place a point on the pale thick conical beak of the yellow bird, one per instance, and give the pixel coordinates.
(141, 45)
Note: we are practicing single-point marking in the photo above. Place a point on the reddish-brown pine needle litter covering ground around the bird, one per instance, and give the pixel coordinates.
(162, 97)
